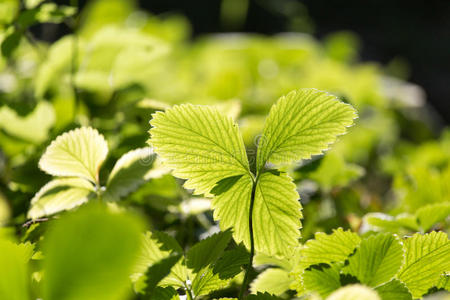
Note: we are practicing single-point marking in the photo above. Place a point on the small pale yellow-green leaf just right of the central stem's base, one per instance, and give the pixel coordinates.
(273, 281)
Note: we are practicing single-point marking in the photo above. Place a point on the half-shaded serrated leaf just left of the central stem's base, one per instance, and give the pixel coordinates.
(219, 274)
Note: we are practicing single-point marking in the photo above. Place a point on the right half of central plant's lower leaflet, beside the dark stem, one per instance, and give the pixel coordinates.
(276, 215)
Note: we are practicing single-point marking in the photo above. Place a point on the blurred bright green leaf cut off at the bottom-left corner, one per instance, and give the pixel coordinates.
(14, 282)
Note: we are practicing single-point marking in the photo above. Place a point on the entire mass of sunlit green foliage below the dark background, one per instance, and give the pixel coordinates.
(230, 212)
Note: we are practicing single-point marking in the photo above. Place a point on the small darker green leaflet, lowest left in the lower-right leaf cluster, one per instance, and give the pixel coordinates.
(322, 279)
